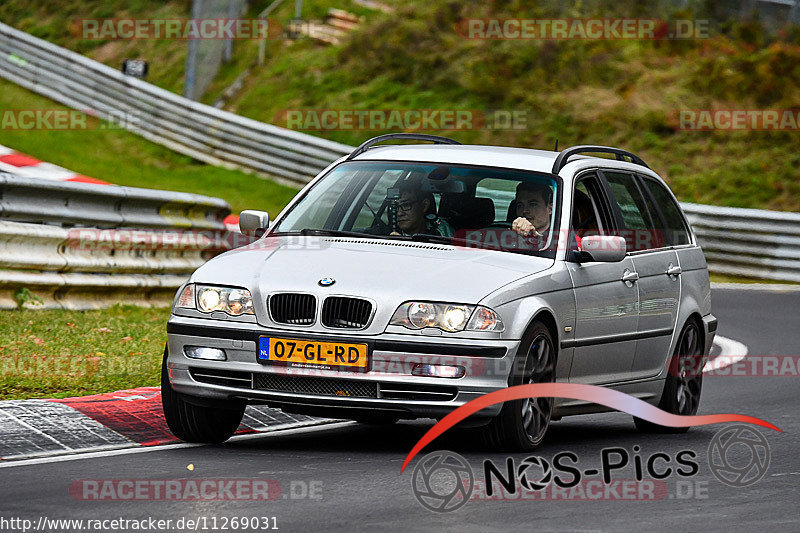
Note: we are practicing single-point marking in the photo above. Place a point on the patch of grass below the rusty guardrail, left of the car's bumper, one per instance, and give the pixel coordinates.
(60, 353)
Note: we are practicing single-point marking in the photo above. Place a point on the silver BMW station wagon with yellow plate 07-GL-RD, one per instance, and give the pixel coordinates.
(408, 279)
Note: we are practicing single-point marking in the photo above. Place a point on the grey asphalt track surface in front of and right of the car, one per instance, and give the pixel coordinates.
(354, 470)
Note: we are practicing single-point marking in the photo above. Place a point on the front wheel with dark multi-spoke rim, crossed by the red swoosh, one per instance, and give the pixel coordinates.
(522, 425)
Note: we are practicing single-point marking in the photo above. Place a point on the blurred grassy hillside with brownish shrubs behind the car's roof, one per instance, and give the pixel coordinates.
(608, 92)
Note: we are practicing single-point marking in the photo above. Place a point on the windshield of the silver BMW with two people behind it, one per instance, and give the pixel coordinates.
(483, 207)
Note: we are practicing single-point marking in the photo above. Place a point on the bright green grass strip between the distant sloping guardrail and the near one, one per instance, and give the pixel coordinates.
(124, 158)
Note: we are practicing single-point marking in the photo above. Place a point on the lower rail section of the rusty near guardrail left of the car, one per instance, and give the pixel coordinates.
(84, 268)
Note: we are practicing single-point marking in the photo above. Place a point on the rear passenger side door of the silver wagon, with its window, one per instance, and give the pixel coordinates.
(656, 262)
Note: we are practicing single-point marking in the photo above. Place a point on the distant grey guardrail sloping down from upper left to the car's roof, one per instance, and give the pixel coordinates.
(200, 131)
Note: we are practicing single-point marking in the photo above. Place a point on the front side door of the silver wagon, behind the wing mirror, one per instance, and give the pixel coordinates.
(606, 305)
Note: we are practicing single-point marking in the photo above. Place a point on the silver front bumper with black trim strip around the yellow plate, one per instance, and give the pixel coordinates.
(388, 387)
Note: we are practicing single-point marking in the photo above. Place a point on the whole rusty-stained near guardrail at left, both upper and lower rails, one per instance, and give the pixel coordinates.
(78, 245)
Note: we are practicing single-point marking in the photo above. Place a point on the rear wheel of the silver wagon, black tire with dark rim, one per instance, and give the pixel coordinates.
(684, 382)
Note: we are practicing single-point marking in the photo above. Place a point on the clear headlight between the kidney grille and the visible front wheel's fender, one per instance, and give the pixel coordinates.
(447, 317)
